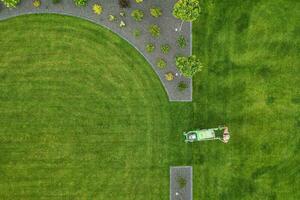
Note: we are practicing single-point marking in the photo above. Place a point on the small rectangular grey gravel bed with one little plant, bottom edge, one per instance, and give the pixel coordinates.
(178, 190)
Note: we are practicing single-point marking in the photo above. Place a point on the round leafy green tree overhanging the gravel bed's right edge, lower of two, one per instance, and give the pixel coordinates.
(188, 66)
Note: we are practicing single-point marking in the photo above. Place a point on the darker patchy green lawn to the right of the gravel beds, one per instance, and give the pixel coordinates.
(251, 83)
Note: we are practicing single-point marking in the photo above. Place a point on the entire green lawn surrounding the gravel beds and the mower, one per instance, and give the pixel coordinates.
(83, 116)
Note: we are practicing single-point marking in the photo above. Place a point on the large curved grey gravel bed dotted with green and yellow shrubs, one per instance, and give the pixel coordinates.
(139, 23)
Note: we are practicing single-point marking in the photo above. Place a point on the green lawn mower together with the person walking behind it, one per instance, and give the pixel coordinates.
(221, 133)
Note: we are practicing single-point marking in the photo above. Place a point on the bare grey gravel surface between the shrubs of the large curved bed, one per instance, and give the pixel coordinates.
(166, 22)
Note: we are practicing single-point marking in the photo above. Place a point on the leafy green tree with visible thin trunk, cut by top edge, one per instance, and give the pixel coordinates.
(187, 10)
